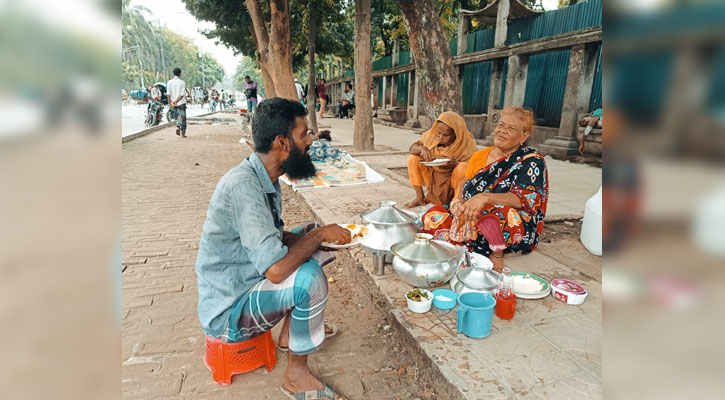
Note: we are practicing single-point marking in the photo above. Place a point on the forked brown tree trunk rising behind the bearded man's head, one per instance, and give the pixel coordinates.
(275, 48)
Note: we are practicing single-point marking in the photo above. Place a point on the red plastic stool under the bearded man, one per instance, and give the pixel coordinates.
(227, 359)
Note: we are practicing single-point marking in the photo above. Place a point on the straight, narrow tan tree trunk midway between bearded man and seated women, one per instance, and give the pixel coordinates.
(364, 137)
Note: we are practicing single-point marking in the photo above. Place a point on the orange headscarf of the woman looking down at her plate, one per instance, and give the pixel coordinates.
(462, 147)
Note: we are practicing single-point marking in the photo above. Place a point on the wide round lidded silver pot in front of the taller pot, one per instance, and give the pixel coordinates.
(424, 262)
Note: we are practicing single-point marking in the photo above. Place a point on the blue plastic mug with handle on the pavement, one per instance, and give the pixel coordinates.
(475, 311)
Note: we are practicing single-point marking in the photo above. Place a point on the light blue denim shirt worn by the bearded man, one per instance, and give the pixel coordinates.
(241, 239)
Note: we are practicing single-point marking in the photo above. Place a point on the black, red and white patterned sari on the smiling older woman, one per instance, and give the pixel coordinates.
(524, 174)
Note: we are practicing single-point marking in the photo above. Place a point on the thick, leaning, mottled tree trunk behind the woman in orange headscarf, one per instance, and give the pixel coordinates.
(438, 80)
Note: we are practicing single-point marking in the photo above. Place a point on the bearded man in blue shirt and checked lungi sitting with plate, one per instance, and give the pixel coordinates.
(251, 272)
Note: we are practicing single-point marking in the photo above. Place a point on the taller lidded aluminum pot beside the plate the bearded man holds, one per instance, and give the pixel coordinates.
(388, 226)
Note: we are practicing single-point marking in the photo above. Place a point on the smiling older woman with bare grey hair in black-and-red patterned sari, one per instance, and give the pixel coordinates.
(502, 205)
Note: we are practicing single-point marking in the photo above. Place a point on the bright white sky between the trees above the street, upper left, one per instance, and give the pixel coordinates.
(174, 15)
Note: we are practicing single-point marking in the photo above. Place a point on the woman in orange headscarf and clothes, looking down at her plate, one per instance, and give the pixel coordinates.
(447, 138)
